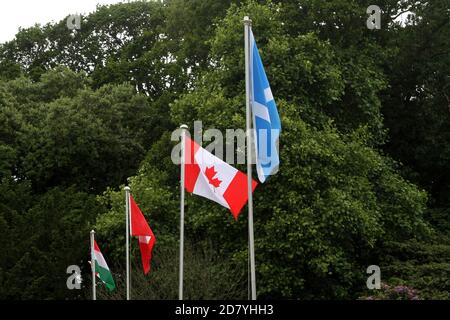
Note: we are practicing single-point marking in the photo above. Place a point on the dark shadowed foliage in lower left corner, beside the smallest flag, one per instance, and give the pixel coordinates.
(43, 237)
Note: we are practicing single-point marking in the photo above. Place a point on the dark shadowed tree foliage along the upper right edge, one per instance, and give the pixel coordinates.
(416, 105)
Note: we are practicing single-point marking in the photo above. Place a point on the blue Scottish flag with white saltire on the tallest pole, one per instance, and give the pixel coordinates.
(266, 121)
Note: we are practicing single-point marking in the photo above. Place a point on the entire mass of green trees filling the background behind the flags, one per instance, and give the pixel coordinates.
(82, 113)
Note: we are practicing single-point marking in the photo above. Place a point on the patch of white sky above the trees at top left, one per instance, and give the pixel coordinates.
(25, 13)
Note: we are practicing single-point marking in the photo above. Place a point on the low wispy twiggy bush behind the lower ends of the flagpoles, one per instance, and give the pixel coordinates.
(207, 276)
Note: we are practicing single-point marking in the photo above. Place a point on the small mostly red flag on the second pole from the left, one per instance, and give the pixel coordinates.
(141, 229)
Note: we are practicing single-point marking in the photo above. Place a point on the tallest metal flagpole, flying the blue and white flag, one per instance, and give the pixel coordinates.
(248, 88)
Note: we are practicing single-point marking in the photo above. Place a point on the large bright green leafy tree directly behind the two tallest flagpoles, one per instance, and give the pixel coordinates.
(335, 201)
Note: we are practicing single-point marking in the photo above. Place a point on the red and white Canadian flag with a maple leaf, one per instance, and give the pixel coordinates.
(210, 177)
